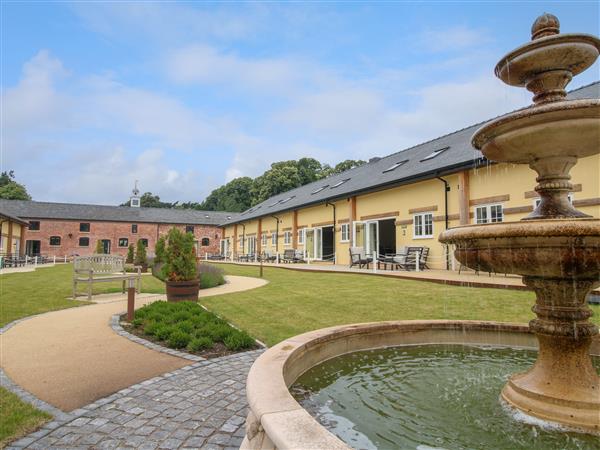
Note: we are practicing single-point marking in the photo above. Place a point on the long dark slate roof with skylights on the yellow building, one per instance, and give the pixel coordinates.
(455, 153)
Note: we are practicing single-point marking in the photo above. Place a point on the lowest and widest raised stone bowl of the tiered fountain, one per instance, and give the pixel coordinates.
(558, 248)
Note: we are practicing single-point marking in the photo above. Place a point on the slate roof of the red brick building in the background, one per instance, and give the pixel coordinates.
(72, 211)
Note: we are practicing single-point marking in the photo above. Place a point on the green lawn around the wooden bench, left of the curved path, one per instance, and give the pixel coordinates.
(28, 293)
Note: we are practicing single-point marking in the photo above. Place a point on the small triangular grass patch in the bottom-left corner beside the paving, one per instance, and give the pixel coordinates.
(17, 418)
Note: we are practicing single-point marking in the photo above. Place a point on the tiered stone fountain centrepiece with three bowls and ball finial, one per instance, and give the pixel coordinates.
(556, 248)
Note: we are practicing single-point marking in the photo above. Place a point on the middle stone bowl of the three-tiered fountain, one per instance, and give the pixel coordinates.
(563, 128)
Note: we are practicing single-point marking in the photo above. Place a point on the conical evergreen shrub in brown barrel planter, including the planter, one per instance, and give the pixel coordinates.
(179, 269)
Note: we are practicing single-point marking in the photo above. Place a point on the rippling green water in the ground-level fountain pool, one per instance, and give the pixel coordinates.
(427, 397)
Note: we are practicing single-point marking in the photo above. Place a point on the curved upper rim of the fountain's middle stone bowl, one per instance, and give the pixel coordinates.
(488, 131)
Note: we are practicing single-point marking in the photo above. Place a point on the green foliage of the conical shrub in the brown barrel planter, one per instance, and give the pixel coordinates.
(180, 262)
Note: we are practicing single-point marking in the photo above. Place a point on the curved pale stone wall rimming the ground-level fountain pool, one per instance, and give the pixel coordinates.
(277, 420)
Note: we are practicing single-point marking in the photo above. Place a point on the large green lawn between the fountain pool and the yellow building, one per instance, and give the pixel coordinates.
(297, 301)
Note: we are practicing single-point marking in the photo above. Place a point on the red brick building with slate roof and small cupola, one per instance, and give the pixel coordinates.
(66, 229)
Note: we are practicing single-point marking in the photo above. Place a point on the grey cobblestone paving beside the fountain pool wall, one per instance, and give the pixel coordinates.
(199, 406)
